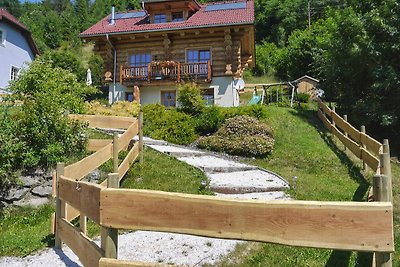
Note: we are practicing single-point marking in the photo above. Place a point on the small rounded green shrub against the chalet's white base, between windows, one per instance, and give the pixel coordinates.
(190, 99)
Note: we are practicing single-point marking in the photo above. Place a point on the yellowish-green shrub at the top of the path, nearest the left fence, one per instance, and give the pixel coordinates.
(168, 124)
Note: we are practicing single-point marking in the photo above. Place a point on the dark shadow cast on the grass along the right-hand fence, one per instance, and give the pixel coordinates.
(338, 257)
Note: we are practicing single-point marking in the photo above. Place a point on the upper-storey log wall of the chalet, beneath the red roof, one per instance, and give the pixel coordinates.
(229, 46)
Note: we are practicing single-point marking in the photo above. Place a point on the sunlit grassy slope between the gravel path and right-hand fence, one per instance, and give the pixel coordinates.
(304, 149)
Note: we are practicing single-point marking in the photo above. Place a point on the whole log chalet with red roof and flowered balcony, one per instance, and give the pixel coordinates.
(148, 52)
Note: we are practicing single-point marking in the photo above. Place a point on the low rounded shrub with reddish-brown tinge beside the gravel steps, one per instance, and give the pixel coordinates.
(243, 136)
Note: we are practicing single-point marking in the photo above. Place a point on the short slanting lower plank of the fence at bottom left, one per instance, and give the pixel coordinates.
(86, 250)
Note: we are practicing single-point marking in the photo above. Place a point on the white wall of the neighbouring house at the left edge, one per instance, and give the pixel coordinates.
(16, 52)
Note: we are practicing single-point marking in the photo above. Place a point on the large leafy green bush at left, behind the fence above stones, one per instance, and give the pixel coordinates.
(46, 93)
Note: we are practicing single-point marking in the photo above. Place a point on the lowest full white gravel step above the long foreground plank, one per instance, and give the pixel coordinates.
(246, 182)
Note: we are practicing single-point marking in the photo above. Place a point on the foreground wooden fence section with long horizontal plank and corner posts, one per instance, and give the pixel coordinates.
(355, 226)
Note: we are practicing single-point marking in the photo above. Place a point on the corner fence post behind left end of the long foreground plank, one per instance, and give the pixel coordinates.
(109, 238)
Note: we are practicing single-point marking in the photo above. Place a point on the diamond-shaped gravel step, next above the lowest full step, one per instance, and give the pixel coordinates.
(213, 164)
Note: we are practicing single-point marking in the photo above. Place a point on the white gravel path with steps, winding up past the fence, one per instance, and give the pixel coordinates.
(228, 178)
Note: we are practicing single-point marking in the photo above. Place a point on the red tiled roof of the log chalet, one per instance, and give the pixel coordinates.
(201, 18)
